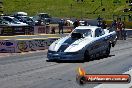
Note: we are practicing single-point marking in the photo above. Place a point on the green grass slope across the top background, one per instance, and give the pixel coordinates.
(66, 8)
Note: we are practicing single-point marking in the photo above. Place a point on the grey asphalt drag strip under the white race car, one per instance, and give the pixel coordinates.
(32, 70)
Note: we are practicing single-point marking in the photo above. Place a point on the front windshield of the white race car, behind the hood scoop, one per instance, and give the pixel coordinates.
(84, 32)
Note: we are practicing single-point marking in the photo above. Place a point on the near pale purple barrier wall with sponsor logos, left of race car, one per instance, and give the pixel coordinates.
(25, 45)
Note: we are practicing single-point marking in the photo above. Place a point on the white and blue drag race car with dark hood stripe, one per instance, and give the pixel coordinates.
(84, 43)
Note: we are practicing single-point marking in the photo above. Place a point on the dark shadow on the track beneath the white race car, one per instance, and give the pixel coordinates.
(77, 61)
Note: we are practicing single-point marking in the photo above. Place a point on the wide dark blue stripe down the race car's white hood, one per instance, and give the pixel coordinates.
(66, 44)
